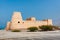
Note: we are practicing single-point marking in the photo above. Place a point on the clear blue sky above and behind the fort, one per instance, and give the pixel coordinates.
(40, 9)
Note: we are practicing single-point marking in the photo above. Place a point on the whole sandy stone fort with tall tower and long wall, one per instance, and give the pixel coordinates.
(18, 23)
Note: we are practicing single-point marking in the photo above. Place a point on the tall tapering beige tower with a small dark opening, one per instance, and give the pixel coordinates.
(16, 20)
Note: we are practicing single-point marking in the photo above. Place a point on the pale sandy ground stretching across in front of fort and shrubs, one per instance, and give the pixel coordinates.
(49, 35)
